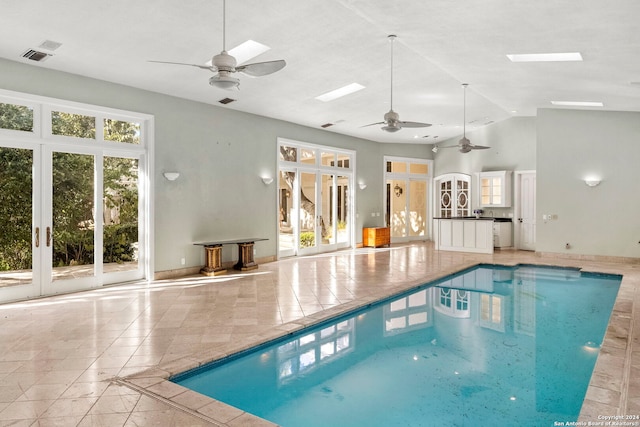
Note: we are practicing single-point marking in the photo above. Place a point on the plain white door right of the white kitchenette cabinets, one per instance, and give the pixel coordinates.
(525, 225)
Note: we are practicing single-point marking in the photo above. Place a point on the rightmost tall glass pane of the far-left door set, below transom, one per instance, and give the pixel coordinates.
(120, 211)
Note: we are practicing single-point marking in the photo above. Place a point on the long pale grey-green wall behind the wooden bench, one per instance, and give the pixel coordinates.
(220, 154)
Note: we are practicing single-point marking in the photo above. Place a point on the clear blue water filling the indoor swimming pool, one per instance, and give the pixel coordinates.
(488, 346)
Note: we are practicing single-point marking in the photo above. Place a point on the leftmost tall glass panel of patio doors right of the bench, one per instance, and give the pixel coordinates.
(287, 223)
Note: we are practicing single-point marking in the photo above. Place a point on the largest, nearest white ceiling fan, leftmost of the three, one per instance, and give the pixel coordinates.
(224, 65)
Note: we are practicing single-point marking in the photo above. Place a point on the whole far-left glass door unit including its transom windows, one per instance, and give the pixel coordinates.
(72, 216)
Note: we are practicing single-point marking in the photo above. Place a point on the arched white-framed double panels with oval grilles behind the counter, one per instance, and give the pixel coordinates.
(453, 192)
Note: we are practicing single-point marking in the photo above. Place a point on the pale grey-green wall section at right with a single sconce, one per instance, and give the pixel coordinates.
(602, 220)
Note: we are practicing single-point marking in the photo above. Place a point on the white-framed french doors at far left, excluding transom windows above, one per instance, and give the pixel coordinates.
(71, 219)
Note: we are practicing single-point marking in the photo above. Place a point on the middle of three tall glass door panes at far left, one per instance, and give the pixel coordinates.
(72, 235)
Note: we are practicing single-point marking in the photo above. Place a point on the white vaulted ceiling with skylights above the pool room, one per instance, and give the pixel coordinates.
(331, 43)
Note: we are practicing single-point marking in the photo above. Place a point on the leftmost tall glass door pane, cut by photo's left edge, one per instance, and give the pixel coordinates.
(16, 217)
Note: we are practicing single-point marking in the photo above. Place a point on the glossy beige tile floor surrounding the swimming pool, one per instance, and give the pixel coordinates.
(101, 357)
